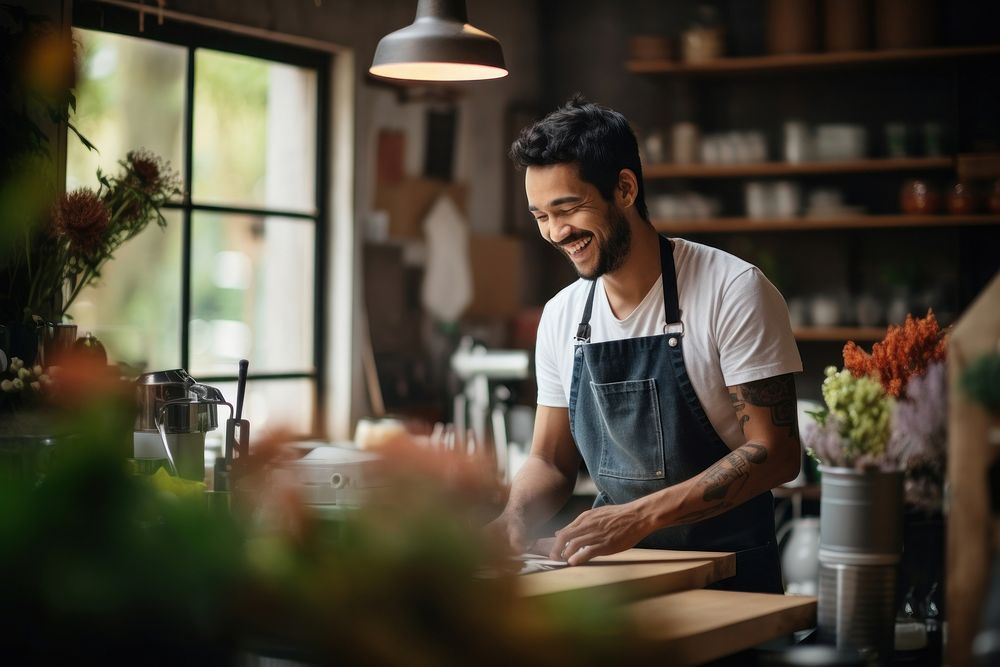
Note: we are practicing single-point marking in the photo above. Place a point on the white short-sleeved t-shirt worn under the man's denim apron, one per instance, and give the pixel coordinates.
(736, 330)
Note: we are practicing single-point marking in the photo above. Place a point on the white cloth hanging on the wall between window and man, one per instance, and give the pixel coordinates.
(447, 287)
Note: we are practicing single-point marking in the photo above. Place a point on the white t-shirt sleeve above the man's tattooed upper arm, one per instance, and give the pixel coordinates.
(754, 334)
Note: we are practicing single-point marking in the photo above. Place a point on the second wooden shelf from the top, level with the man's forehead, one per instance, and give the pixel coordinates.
(657, 171)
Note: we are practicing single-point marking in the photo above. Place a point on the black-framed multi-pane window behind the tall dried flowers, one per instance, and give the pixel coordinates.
(237, 272)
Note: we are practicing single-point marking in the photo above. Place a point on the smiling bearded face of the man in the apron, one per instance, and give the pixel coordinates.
(593, 233)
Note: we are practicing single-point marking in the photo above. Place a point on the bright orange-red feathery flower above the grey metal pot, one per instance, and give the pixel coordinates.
(905, 352)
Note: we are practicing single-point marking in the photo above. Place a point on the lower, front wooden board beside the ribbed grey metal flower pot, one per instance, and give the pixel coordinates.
(696, 626)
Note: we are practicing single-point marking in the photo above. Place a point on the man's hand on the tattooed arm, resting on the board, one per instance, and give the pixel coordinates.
(602, 531)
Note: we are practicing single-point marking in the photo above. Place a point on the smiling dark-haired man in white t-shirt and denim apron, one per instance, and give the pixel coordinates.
(666, 369)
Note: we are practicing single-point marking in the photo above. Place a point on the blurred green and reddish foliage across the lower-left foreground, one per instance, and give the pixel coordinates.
(98, 564)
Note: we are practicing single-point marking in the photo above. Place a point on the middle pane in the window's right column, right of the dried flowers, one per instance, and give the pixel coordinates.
(252, 290)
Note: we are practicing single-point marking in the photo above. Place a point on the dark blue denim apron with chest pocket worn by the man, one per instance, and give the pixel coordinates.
(640, 428)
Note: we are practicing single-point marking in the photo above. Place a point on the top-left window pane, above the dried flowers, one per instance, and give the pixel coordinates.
(130, 95)
